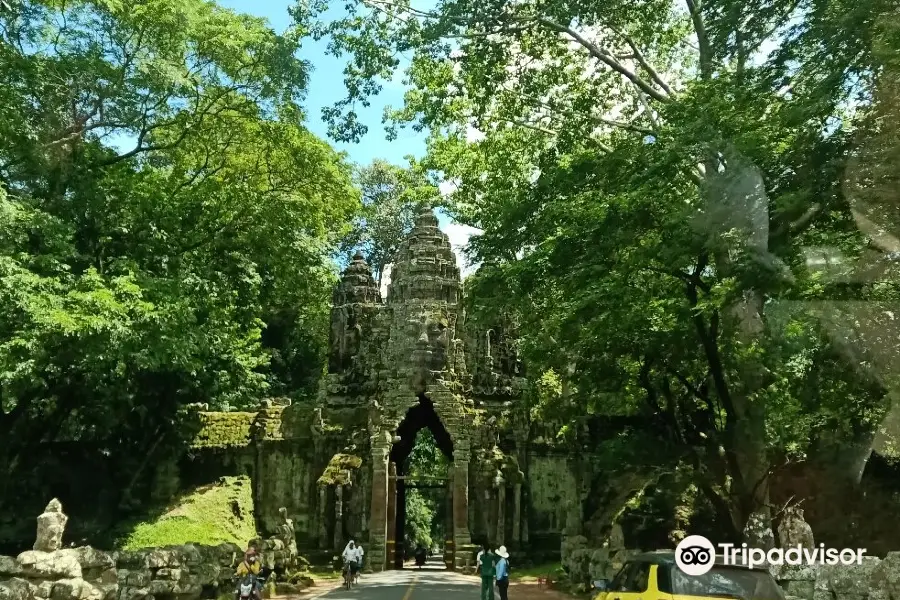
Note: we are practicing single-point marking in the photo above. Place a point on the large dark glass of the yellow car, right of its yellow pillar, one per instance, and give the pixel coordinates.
(727, 582)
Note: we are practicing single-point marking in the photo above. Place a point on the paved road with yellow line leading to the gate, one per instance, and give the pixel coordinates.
(429, 583)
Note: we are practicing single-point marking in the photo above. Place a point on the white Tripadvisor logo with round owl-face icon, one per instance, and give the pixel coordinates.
(695, 555)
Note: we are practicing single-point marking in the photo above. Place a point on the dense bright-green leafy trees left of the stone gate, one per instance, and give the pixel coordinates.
(162, 206)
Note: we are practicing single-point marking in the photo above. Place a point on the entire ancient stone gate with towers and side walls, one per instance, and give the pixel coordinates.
(397, 365)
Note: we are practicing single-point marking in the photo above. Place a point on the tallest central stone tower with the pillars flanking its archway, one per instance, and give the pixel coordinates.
(424, 373)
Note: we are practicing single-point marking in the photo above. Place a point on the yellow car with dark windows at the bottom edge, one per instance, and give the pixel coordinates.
(655, 576)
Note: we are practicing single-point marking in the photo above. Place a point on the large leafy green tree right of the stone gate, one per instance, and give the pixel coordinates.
(648, 174)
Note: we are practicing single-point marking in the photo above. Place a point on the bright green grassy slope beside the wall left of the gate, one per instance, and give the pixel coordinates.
(209, 515)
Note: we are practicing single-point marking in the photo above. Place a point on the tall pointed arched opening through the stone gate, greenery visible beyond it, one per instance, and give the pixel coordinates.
(430, 486)
